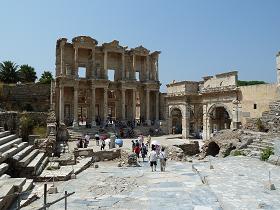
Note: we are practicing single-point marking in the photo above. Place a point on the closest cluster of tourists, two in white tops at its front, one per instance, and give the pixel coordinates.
(157, 152)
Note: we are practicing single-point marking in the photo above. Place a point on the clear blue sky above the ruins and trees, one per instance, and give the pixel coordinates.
(196, 37)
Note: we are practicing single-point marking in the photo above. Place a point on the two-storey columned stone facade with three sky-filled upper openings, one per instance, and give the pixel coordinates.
(96, 82)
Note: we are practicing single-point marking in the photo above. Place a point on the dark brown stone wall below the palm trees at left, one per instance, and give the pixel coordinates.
(29, 97)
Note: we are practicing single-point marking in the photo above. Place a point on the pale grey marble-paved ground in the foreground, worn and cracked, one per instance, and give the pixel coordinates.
(234, 183)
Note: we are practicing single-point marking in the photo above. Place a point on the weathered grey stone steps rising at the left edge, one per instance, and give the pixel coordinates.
(19, 164)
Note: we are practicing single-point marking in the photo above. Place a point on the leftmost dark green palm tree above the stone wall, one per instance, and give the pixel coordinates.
(9, 72)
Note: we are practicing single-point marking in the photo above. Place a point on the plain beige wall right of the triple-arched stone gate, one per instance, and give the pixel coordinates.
(255, 100)
